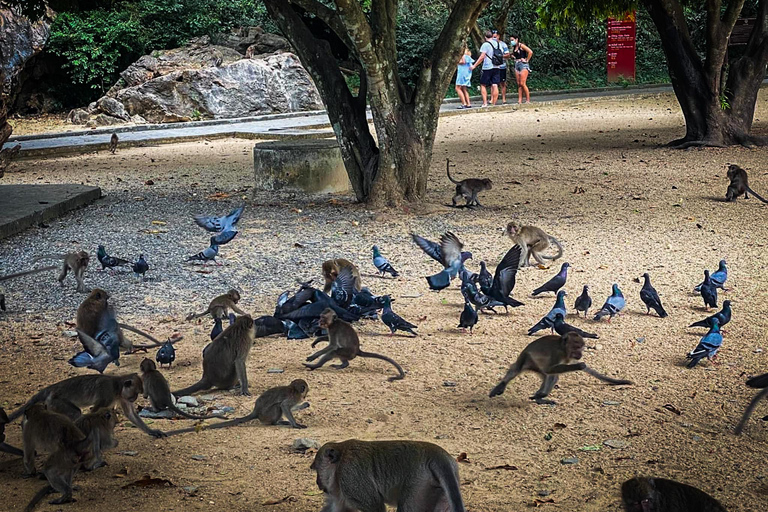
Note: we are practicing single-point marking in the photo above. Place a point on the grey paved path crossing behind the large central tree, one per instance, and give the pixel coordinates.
(272, 127)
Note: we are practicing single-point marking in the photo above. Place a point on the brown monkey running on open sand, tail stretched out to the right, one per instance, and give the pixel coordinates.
(549, 356)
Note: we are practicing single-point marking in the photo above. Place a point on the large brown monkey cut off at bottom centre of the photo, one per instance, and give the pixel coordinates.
(368, 475)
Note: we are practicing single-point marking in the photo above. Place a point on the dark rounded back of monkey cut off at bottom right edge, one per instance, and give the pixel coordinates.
(645, 494)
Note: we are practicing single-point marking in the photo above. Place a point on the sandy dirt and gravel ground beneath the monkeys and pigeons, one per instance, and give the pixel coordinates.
(643, 208)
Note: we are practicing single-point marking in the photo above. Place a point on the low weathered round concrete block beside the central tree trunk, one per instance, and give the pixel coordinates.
(312, 166)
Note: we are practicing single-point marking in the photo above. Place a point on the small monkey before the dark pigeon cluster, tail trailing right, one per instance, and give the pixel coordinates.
(344, 344)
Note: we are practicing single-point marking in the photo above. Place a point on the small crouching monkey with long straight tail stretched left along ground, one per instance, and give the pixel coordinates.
(270, 408)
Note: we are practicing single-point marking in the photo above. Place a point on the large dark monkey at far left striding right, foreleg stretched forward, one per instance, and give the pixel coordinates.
(98, 391)
